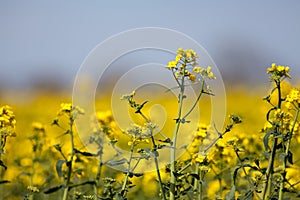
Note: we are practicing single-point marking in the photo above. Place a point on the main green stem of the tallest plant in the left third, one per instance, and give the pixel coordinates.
(69, 163)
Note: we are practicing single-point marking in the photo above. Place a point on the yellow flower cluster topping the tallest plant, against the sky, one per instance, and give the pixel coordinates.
(185, 65)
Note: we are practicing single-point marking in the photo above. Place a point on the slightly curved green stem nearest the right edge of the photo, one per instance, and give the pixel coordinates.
(285, 156)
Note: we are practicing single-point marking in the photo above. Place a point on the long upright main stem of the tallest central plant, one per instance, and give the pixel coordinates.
(173, 149)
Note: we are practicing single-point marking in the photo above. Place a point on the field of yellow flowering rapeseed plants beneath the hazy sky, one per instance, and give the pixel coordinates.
(155, 148)
